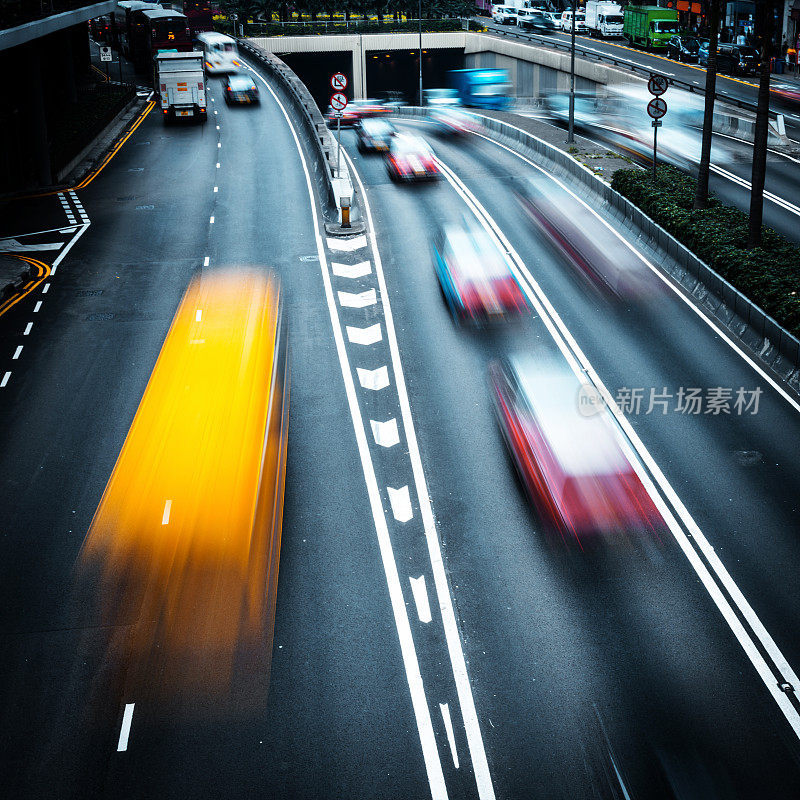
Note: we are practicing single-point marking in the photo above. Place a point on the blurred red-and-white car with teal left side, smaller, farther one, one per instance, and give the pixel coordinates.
(476, 280)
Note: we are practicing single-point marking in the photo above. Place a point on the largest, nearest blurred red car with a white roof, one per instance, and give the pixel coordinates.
(567, 452)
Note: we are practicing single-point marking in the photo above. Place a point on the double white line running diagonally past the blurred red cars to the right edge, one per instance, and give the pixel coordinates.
(583, 369)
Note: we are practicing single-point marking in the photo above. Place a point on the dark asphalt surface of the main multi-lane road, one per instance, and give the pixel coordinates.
(428, 641)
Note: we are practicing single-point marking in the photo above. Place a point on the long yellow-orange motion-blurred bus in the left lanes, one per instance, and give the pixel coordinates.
(187, 535)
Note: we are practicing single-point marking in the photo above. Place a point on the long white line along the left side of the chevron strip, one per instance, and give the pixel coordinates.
(430, 753)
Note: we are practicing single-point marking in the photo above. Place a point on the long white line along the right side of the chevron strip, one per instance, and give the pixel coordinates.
(469, 714)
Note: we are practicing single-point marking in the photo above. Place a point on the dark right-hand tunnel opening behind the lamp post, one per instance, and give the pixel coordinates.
(398, 70)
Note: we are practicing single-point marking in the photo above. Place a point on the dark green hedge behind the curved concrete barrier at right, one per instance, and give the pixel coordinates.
(768, 275)
